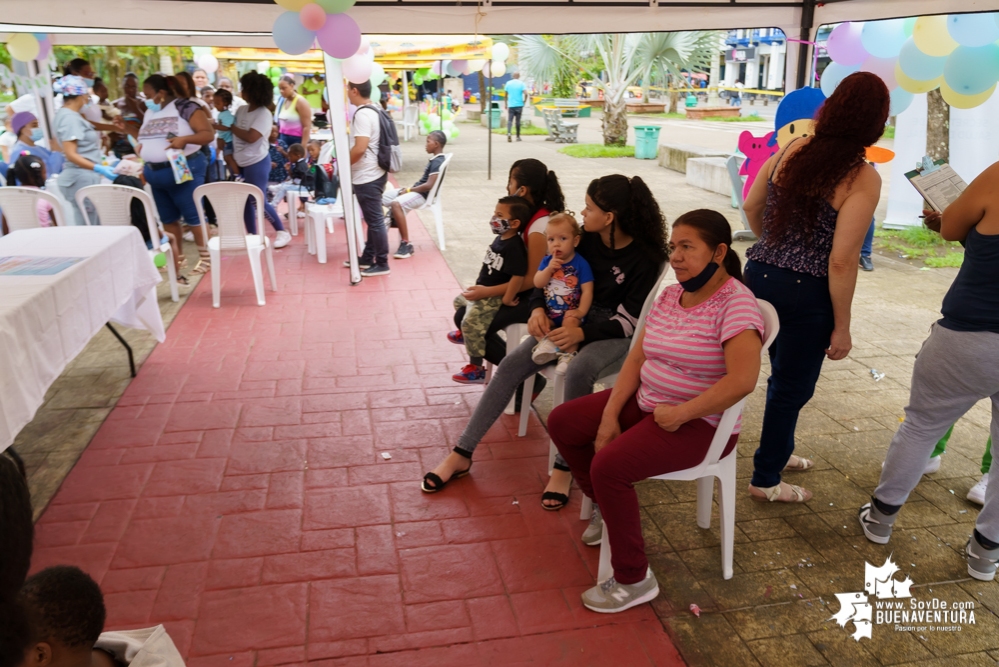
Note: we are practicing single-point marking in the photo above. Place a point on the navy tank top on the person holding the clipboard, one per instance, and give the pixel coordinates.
(972, 302)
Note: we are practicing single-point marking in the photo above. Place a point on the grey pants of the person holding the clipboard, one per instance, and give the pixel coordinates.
(953, 371)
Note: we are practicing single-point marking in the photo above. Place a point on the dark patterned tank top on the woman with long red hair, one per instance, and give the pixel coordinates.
(795, 250)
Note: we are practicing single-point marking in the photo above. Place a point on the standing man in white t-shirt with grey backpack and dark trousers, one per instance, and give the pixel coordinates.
(368, 178)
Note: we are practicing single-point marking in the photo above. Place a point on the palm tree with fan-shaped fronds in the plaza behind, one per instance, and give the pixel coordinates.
(624, 59)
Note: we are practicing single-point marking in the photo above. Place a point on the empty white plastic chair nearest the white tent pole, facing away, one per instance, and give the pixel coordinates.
(229, 201)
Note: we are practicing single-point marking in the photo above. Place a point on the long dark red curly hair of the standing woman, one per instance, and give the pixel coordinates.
(852, 119)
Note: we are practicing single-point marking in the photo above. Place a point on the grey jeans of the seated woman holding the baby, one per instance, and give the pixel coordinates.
(593, 361)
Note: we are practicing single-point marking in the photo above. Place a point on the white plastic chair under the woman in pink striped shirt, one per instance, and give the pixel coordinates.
(712, 466)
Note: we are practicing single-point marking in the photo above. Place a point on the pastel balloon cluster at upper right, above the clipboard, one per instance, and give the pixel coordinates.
(957, 53)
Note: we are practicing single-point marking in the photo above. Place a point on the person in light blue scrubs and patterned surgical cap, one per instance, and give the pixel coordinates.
(81, 144)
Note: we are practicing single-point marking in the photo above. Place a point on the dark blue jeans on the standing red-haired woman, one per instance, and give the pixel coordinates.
(805, 310)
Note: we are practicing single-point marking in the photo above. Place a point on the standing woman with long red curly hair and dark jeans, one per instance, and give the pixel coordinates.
(811, 214)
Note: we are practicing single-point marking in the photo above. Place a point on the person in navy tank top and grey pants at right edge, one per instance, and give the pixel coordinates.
(955, 368)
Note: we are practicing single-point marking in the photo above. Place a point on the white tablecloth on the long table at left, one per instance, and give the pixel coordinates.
(45, 321)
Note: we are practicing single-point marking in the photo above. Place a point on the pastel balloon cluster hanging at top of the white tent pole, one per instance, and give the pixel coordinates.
(323, 21)
